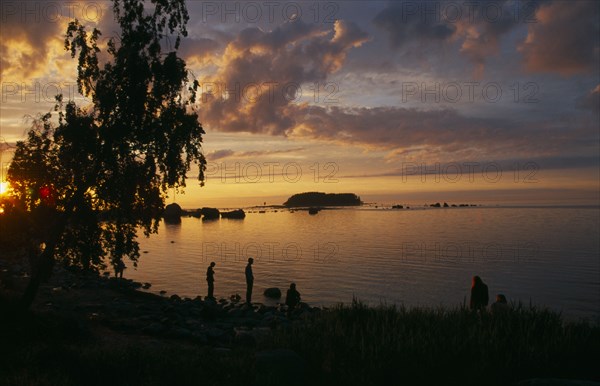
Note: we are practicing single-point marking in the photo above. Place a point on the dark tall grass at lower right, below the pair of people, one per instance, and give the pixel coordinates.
(360, 345)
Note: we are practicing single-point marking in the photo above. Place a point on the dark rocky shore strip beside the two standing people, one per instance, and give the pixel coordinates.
(118, 305)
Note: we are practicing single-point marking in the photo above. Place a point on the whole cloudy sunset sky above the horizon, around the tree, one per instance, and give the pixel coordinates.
(400, 102)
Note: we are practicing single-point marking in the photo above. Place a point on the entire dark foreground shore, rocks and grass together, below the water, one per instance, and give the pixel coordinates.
(96, 328)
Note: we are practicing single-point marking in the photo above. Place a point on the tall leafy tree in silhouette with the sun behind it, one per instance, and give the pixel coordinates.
(88, 177)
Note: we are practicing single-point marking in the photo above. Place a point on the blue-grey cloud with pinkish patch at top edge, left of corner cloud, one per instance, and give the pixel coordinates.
(473, 29)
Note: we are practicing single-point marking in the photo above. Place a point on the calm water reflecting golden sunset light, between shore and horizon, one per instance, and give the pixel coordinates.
(547, 256)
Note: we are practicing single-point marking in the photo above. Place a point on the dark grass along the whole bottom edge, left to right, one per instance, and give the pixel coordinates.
(346, 345)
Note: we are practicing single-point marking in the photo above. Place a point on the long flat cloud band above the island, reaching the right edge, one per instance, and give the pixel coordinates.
(413, 133)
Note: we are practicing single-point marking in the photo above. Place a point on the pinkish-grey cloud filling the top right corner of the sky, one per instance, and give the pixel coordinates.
(565, 39)
